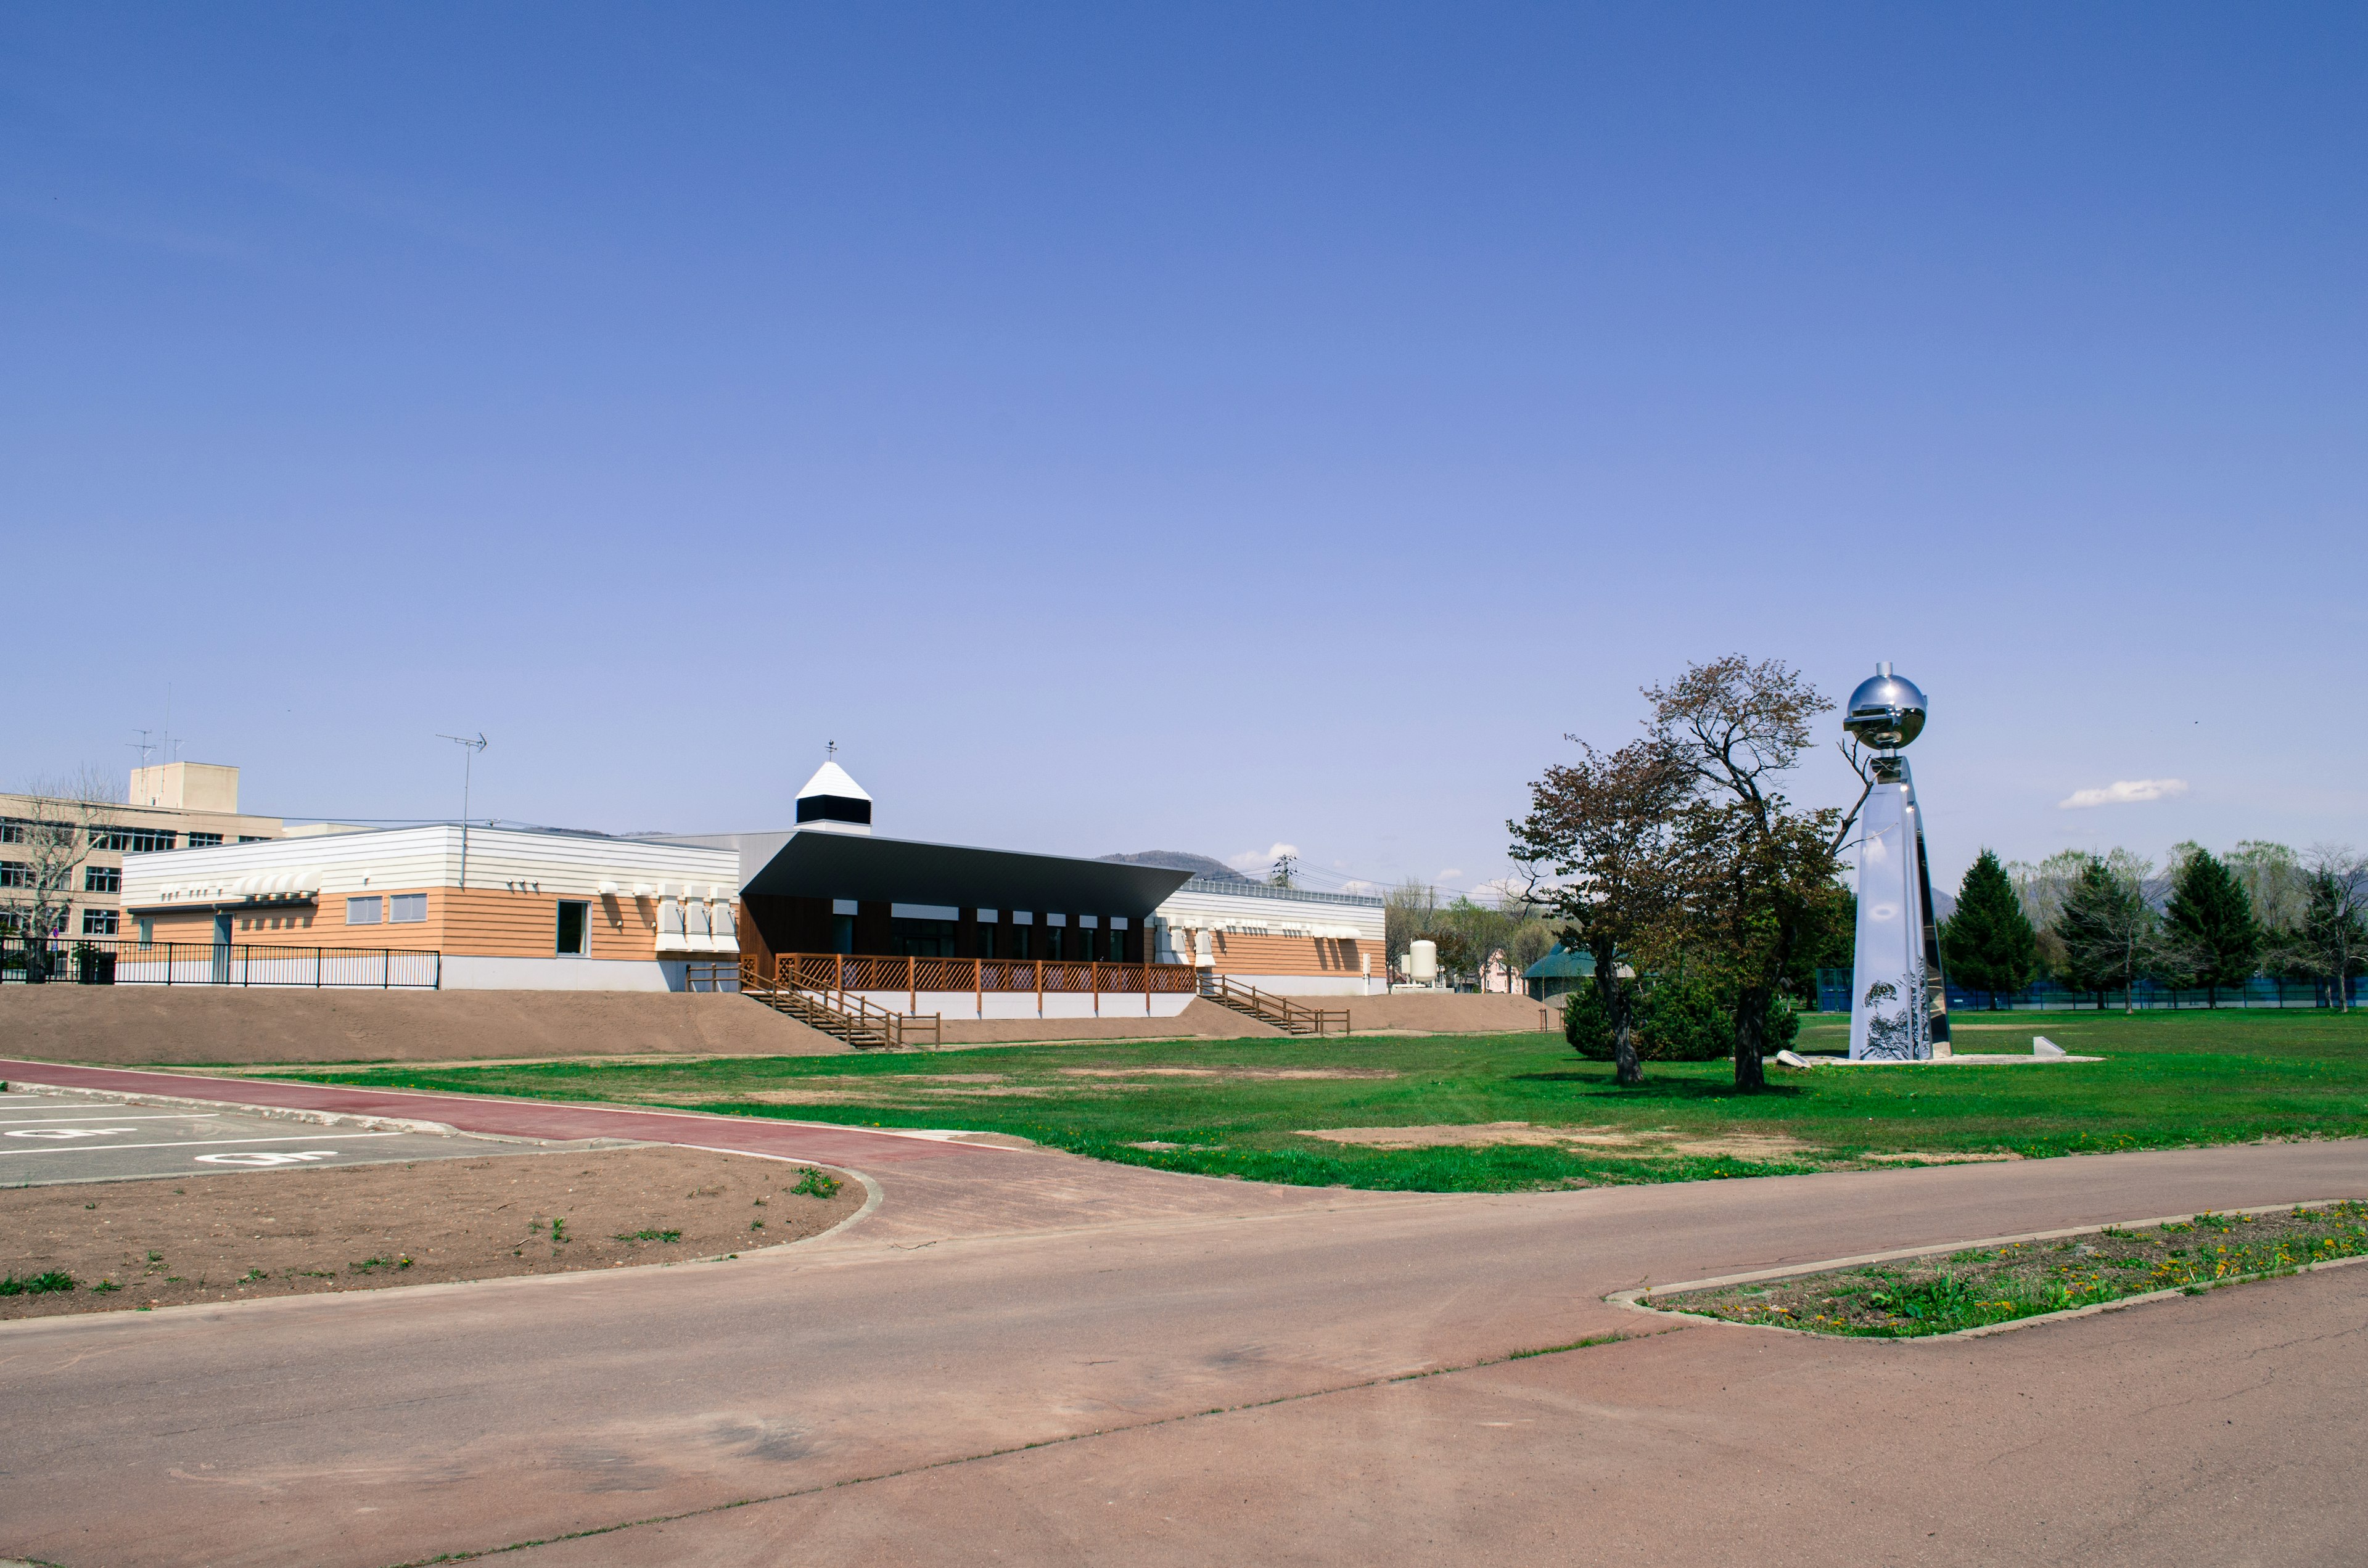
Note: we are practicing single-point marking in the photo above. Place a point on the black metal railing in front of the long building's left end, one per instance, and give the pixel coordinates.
(96, 960)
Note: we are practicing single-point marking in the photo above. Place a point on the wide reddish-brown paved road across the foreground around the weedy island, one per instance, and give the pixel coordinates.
(1223, 1373)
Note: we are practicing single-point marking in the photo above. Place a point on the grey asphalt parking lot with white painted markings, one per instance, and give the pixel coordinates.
(56, 1138)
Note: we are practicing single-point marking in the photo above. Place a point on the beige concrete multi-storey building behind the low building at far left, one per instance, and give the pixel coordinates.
(169, 807)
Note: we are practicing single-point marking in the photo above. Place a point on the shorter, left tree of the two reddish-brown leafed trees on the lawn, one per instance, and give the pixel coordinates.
(1607, 830)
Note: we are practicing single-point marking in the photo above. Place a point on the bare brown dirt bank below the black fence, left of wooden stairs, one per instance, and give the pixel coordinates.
(217, 1027)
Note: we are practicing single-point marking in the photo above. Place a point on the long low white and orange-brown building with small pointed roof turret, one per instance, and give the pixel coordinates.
(832, 906)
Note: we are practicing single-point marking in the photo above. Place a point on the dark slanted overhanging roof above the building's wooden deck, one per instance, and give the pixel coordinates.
(908, 873)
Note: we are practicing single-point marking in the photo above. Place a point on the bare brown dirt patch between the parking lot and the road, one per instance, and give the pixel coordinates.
(363, 1228)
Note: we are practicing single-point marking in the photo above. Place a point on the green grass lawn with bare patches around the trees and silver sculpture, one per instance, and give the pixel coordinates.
(1244, 1107)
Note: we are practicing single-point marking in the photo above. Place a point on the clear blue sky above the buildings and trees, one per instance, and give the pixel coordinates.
(1185, 430)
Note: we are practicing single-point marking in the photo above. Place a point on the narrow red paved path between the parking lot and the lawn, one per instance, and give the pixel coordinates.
(818, 1143)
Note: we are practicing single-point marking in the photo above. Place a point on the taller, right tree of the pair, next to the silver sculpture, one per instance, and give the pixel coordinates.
(1761, 873)
